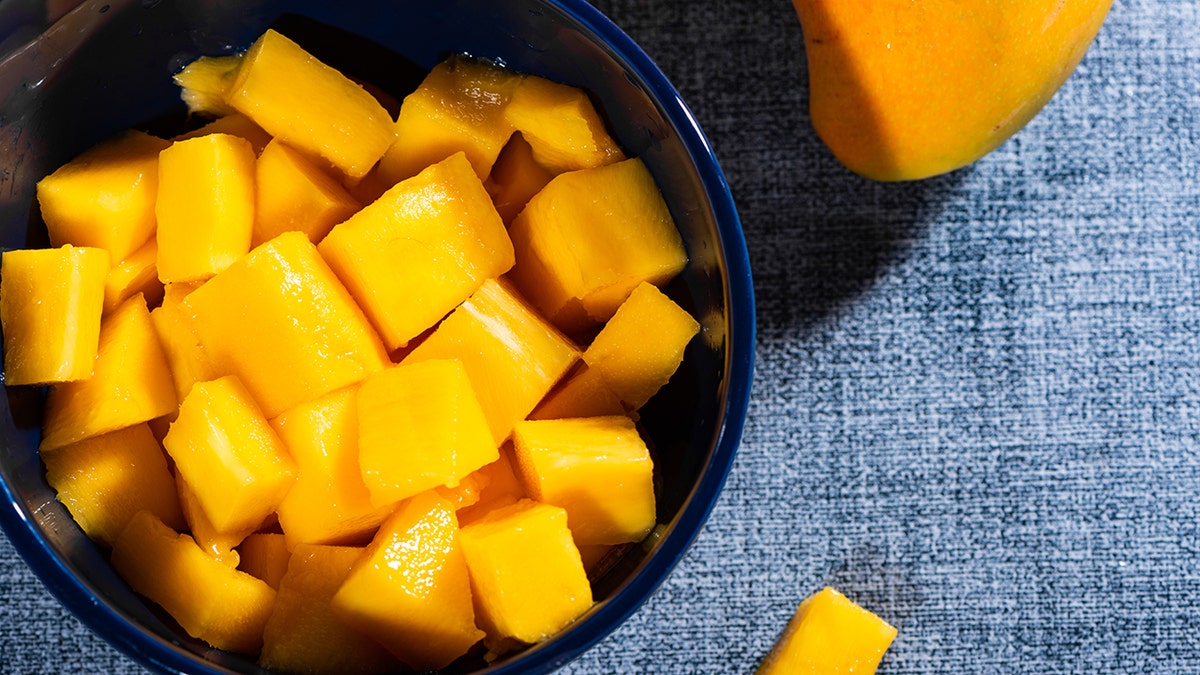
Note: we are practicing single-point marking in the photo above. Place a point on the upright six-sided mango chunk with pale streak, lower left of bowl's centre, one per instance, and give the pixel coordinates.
(230, 456)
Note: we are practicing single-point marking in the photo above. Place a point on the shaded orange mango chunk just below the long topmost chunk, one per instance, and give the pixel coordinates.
(295, 194)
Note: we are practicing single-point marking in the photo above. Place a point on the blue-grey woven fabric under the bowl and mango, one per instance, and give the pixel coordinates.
(977, 398)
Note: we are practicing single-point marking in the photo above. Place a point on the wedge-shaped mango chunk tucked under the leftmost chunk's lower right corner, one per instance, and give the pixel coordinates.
(130, 384)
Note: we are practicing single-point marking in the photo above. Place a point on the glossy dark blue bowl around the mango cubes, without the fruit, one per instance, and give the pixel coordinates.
(107, 67)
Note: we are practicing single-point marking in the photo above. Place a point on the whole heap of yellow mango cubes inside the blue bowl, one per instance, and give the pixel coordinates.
(350, 391)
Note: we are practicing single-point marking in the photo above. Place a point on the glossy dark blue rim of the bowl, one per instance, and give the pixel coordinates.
(130, 638)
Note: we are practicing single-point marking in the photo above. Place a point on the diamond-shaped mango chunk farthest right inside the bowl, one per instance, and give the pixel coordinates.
(643, 345)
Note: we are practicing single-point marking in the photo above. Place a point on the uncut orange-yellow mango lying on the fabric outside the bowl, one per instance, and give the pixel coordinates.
(903, 91)
